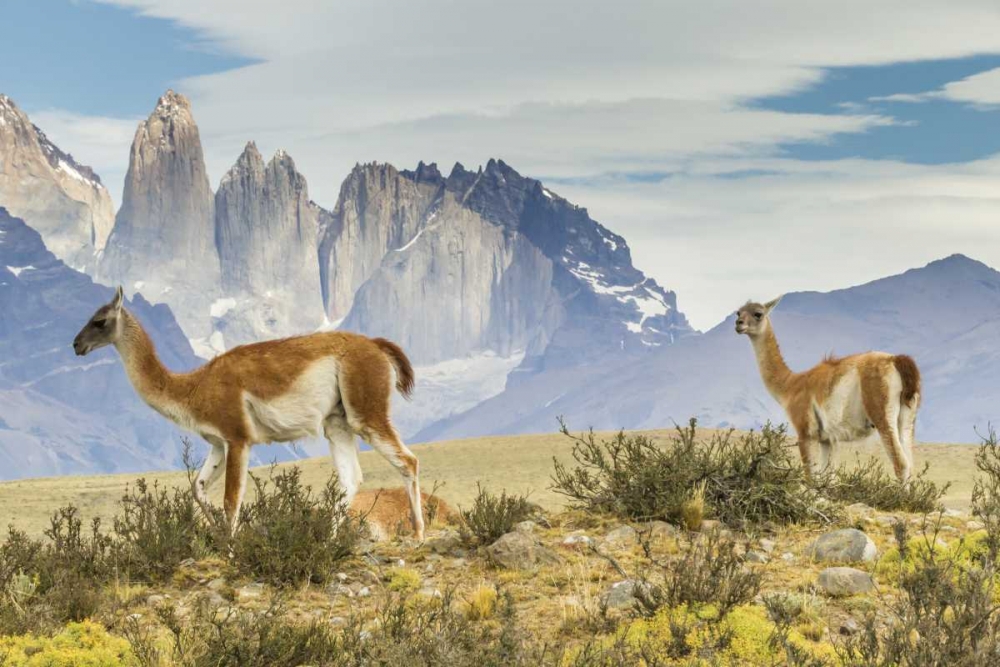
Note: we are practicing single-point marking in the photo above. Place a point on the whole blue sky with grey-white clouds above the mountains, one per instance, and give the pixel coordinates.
(743, 149)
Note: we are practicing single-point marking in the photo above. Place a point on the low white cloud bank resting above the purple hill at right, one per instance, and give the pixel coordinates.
(795, 226)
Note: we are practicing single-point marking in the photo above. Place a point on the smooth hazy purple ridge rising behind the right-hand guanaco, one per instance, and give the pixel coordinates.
(946, 315)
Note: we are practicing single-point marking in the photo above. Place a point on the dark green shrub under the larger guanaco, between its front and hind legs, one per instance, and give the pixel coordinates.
(287, 535)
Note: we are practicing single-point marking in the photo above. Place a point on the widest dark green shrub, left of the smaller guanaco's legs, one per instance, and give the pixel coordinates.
(748, 478)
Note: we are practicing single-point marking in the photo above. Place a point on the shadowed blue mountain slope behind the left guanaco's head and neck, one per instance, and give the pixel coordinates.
(60, 413)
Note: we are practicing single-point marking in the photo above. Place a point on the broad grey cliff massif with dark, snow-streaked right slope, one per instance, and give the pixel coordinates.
(485, 260)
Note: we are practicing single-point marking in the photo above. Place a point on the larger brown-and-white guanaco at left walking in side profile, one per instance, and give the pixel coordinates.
(335, 383)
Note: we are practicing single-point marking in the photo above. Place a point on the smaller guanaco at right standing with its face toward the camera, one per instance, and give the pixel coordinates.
(839, 400)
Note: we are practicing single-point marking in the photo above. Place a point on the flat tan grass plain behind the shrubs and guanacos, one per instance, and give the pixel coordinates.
(521, 464)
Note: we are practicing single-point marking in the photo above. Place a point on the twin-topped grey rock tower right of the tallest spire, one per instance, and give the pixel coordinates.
(266, 237)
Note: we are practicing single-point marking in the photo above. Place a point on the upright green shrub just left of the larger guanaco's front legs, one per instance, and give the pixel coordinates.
(156, 530)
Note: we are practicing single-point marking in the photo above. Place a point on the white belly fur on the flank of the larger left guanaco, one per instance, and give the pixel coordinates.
(299, 412)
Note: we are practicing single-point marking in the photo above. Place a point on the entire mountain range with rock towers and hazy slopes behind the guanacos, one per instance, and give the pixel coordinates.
(512, 302)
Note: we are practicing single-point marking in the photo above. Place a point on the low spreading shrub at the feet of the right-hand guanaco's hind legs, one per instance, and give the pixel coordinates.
(873, 486)
